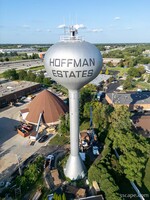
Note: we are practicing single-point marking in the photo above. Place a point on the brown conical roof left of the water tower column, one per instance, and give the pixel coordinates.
(47, 103)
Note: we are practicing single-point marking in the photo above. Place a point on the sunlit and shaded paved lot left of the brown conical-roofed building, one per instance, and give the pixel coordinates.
(13, 147)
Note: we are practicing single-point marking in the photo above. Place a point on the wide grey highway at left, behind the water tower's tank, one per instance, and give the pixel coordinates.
(22, 64)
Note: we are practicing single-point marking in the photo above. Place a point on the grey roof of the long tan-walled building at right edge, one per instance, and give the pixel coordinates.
(130, 98)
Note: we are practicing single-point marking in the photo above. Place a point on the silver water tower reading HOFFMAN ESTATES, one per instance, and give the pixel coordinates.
(73, 63)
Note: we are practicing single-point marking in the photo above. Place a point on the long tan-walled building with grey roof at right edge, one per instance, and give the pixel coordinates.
(139, 101)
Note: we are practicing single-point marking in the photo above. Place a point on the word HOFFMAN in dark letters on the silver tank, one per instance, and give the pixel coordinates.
(56, 62)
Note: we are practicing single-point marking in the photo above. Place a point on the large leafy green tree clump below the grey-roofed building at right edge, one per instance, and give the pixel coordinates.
(133, 149)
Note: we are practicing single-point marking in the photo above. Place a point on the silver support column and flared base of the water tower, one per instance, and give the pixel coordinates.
(75, 168)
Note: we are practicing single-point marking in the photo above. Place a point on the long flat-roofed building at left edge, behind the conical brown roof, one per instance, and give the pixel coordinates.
(12, 91)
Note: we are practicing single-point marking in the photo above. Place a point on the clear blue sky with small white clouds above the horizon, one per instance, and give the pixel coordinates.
(99, 21)
